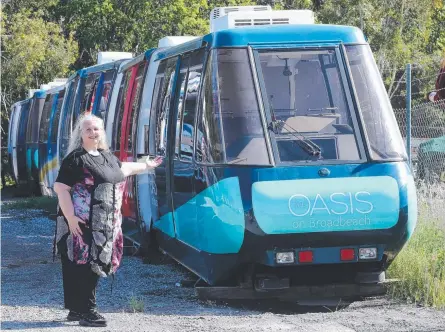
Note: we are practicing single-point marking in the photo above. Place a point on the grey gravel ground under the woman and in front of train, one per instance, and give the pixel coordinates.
(32, 298)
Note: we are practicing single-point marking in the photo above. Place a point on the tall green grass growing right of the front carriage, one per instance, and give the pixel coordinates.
(420, 266)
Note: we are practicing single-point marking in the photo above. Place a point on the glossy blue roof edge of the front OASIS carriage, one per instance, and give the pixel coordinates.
(271, 35)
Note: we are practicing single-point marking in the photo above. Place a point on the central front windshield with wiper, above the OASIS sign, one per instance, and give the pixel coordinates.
(311, 116)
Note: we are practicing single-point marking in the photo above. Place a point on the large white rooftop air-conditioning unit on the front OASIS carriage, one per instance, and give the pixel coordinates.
(241, 19)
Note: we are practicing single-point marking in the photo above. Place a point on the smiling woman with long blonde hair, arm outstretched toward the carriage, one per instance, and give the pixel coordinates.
(88, 234)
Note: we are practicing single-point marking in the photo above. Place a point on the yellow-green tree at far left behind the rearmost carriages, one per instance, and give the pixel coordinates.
(33, 52)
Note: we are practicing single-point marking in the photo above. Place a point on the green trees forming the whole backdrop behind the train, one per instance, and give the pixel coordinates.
(46, 37)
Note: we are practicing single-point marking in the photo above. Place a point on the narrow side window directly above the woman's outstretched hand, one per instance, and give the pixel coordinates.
(162, 103)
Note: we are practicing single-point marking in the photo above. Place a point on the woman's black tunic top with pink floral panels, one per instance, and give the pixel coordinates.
(97, 184)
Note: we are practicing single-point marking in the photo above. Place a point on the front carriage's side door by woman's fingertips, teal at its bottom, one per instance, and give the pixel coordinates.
(159, 123)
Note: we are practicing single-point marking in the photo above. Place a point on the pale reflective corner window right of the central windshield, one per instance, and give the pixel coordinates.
(380, 124)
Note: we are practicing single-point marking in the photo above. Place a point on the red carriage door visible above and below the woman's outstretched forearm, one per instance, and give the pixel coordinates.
(128, 142)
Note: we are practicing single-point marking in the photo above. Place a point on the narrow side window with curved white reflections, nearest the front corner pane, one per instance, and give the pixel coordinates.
(190, 104)
